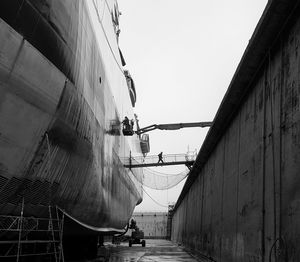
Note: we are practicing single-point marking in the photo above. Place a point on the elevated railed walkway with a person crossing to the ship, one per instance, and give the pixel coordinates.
(168, 160)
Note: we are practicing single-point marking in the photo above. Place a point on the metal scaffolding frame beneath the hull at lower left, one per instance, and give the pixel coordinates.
(24, 237)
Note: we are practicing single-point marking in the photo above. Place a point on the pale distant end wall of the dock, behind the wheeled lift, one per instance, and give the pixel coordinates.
(154, 224)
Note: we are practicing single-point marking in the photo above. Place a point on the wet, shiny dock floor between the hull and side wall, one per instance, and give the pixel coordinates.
(155, 251)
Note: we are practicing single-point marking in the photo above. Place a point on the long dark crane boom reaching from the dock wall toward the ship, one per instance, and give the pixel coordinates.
(175, 126)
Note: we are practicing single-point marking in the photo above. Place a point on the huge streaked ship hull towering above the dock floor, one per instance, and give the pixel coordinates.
(57, 109)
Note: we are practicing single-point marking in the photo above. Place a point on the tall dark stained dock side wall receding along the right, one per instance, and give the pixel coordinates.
(244, 202)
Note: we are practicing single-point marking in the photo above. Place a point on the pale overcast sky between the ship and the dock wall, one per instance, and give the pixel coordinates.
(182, 56)
